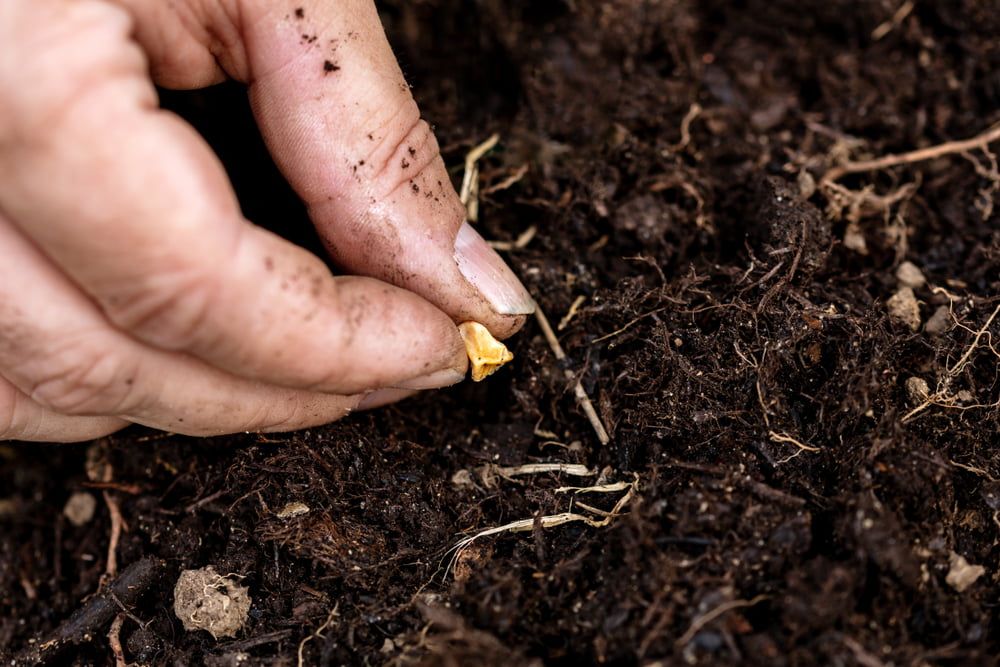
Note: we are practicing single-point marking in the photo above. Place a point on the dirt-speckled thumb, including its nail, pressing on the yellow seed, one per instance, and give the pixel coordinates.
(341, 122)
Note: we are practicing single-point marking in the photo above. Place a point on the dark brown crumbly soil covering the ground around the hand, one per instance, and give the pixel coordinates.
(730, 309)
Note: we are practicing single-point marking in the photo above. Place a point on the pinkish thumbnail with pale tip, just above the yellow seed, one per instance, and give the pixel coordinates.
(488, 273)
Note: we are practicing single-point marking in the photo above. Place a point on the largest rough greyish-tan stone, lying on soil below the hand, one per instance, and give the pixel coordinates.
(205, 600)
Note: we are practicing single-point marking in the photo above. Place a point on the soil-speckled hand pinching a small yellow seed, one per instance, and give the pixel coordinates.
(132, 289)
